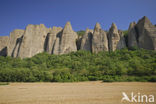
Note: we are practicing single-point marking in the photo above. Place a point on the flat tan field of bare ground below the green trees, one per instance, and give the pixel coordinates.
(72, 93)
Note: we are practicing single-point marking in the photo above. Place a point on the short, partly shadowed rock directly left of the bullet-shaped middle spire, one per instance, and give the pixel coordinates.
(86, 42)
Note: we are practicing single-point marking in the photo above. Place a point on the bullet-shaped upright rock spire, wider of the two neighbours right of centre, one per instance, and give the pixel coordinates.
(99, 40)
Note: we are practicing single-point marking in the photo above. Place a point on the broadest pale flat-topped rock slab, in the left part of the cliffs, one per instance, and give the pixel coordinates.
(33, 40)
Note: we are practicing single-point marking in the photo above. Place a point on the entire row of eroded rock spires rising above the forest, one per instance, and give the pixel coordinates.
(37, 38)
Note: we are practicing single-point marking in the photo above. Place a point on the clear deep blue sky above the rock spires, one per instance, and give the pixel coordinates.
(17, 14)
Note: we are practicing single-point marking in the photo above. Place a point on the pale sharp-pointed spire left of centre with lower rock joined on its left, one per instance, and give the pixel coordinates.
(63, 40)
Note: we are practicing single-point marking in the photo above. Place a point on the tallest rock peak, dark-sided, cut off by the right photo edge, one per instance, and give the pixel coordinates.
(146, 34)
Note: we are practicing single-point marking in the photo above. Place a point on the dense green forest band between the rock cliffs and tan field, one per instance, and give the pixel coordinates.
(121, 65)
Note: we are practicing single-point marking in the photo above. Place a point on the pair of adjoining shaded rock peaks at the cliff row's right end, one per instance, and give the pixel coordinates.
(142, 34)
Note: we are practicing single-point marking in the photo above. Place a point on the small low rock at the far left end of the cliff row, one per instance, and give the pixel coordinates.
(3, 45)
